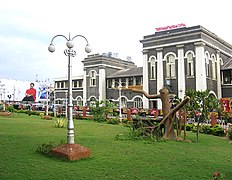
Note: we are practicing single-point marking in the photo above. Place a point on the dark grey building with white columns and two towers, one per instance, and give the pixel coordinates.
(179, 59)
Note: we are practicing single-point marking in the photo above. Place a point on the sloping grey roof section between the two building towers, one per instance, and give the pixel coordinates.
(138, 71)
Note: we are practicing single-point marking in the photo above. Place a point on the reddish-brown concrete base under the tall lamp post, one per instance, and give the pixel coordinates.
(71, 151)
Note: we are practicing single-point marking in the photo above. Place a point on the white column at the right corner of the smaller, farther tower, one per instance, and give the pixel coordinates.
(102, 84)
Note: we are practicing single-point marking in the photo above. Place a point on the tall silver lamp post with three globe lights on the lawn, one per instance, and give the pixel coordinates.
(70, 53)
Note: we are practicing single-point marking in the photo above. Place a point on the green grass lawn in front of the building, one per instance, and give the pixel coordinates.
(20, 135)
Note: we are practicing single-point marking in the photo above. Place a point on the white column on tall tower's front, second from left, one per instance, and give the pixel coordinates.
(160, 75)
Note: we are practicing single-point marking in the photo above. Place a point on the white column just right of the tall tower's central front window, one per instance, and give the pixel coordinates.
(181, 72)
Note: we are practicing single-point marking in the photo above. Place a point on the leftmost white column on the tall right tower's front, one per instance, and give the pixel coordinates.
(145, 79)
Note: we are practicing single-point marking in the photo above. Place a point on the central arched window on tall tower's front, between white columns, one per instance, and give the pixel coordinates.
(170, 66)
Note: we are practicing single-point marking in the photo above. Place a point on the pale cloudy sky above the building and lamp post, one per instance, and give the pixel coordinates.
(27, 27)
